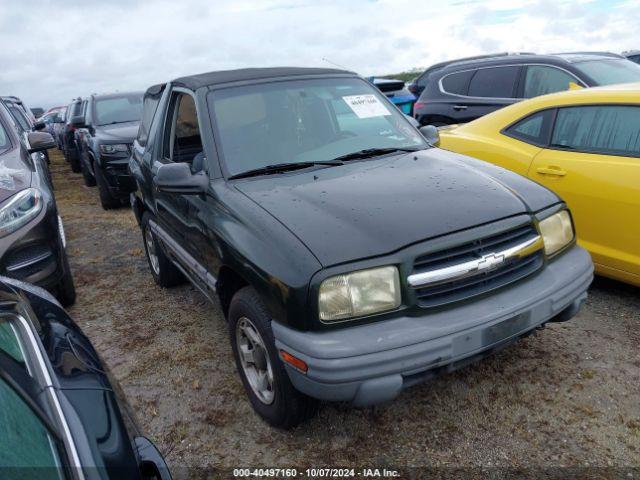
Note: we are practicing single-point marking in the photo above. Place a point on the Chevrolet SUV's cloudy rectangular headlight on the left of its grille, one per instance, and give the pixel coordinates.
(359, 293)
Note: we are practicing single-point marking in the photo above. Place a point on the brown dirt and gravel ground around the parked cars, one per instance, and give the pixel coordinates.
(566, 396)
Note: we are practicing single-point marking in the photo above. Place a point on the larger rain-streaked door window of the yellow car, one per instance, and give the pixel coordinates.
(607, 129)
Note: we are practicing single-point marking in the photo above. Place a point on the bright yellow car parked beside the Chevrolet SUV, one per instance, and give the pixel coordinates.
(585, 146)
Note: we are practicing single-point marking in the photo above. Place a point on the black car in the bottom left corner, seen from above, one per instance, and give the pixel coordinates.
(62, 416)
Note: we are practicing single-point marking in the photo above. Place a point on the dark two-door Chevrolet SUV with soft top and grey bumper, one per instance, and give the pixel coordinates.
(350, 257)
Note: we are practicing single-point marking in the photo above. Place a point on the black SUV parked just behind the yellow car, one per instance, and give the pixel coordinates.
(461, 91)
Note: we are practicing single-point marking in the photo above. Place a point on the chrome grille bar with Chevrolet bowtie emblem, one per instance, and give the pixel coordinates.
(471, 268)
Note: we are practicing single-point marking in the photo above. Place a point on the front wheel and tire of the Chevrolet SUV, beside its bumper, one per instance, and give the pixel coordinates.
(263, 375)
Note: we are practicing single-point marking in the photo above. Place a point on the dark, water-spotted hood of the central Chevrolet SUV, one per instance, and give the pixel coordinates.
(374, 207)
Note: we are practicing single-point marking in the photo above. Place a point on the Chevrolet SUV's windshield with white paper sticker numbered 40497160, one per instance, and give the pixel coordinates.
(305, 121)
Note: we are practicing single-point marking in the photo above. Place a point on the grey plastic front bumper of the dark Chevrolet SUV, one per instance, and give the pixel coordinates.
(372, 363)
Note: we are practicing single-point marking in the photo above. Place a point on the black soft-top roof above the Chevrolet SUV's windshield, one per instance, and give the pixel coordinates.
(193, 82)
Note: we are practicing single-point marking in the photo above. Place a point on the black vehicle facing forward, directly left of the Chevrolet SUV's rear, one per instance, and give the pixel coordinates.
(105, 133)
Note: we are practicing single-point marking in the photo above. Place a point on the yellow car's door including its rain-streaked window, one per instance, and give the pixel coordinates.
(593, 163)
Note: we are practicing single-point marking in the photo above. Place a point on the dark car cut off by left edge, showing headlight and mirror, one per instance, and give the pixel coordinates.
(32, 242)
